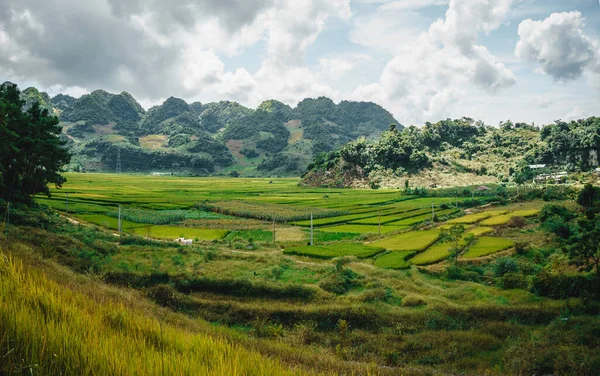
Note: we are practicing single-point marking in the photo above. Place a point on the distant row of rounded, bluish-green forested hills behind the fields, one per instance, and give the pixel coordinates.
(206, 138)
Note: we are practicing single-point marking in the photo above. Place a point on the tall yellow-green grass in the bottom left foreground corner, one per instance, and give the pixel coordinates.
(48, 329)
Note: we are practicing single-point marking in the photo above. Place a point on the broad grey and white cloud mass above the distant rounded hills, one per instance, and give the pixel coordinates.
(155, 50)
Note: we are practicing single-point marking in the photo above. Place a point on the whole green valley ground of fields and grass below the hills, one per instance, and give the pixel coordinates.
(235, 303)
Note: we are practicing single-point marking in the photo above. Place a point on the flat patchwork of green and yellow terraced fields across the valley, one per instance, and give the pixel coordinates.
(234, 210)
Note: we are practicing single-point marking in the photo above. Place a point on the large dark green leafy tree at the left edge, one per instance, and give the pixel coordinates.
(32, 154)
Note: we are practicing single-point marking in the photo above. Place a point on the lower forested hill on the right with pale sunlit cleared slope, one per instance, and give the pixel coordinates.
(461, 152)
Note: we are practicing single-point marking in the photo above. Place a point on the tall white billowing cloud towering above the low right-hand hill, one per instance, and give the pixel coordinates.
(431, 74)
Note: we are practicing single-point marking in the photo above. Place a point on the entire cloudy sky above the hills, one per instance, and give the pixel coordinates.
(423, 60)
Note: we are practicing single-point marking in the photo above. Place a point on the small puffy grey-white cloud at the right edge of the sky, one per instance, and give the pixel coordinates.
(559, 46)
